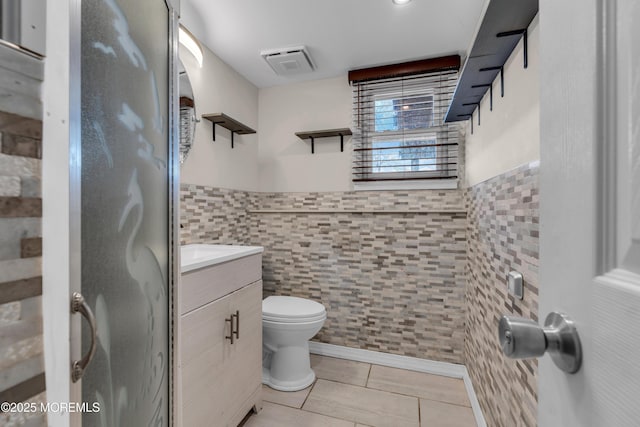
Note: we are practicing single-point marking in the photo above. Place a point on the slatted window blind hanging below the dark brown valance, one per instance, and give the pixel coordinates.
(399, 129)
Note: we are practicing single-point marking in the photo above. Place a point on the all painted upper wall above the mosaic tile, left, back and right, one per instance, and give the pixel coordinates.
(276, 160)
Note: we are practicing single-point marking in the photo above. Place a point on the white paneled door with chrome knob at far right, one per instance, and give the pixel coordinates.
(590, 207)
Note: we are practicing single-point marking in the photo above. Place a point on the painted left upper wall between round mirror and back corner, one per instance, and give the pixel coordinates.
(218, 88)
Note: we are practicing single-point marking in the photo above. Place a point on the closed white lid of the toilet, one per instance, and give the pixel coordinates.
(280, 308)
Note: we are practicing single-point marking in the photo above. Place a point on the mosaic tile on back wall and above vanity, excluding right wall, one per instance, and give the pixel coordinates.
(389, 266)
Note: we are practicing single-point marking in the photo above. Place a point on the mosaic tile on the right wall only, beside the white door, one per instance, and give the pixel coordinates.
(503, 226)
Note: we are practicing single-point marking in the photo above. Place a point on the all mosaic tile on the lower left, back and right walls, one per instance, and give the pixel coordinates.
(396, 269)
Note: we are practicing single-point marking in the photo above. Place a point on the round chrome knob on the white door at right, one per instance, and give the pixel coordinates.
(524, 339)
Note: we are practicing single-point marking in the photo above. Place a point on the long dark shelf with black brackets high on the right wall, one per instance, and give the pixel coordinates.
(504, 22)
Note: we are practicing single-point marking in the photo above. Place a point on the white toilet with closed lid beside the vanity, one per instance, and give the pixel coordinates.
(288, 323)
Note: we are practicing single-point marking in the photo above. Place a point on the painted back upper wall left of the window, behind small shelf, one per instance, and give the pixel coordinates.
(285, 161)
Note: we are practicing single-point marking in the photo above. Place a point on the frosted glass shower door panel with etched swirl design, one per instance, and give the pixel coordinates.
(125, 209)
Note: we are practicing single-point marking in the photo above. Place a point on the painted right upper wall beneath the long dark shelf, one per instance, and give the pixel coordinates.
(508, 136)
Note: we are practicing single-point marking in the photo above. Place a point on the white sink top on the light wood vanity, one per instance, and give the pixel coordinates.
(197, 256)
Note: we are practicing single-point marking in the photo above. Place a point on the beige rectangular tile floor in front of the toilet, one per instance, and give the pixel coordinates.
(356, 394)
